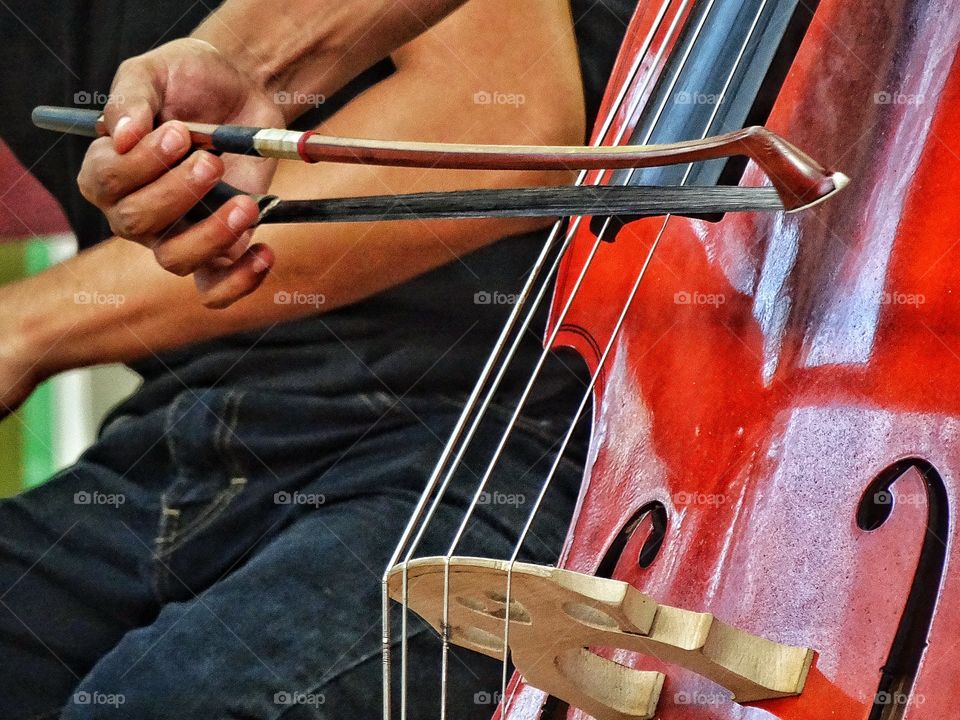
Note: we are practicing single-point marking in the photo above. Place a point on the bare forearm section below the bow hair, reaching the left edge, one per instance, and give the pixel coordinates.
(113, 303)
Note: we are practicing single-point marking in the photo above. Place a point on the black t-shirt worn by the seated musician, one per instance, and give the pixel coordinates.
(429, 335)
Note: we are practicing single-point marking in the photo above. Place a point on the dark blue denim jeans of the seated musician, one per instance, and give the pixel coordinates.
(220, 557)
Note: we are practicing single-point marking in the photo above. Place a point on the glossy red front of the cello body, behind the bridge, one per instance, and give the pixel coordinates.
(777, 428)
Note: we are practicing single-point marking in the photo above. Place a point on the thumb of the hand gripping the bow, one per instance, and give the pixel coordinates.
(135, 99)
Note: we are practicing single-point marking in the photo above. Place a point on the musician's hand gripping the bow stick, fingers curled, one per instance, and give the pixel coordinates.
(145, 179)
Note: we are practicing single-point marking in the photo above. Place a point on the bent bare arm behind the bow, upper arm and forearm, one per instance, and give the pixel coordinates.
(113, 303)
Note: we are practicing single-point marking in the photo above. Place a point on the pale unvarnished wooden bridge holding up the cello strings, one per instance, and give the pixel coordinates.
(556, 615)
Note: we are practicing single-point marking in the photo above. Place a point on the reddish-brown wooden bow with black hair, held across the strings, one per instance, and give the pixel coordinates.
(797, 181)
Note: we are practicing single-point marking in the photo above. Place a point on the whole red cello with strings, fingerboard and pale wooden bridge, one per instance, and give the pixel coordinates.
(773, 397)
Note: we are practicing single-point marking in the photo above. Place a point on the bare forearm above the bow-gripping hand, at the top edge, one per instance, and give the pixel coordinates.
(308, 49)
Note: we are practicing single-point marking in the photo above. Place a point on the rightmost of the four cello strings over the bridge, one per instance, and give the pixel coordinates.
(607, 350)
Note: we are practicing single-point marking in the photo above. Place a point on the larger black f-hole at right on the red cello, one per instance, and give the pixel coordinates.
(876, 506)
